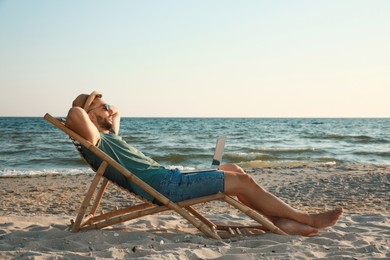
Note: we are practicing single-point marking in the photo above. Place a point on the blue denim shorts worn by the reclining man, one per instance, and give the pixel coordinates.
(178, 186)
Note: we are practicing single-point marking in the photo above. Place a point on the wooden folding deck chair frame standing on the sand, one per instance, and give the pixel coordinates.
(92, 220)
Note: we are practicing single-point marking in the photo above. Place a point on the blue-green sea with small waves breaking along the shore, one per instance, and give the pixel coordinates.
(32, 146)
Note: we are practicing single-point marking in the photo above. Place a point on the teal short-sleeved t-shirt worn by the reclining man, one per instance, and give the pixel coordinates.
(132, 159)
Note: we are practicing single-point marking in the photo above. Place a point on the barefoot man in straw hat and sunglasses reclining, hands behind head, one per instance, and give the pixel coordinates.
(99, 123)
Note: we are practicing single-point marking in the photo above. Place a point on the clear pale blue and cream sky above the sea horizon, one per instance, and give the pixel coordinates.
(220, 58)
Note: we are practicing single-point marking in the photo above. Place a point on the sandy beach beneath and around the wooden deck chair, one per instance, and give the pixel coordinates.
(35, 213)
